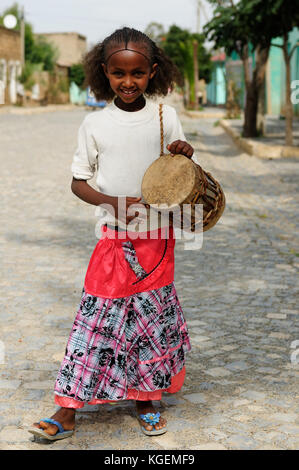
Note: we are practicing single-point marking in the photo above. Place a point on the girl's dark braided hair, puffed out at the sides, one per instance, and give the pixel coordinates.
(166, 75)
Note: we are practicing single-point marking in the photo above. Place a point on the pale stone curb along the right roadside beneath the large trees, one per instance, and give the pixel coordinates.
(258, 149)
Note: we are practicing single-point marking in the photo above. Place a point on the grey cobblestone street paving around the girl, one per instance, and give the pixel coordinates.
(238, 293)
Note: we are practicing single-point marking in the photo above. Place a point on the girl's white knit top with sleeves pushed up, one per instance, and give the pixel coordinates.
(120, 146)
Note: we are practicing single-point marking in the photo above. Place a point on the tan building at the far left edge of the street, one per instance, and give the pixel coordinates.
(10, 64)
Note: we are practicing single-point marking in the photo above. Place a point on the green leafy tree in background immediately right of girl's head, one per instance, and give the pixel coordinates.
(178, 45)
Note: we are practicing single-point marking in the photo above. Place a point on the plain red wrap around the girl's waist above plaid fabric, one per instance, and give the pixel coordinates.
(110, 275)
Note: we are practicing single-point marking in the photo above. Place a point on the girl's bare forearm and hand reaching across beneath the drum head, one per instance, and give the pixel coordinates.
(85, 192)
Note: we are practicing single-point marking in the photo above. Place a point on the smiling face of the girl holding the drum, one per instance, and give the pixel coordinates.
(128, 74)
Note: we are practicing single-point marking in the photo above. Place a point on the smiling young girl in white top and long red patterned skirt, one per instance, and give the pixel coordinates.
(129, 337)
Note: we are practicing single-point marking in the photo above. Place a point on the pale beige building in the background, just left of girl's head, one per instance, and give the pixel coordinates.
(71, 47)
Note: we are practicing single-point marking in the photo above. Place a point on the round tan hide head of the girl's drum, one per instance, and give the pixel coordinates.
(168, 181)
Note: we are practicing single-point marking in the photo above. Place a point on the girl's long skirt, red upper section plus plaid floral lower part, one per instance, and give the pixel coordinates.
(129, 337)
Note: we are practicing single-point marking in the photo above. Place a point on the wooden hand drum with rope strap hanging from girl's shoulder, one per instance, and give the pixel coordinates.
(172, 181)
